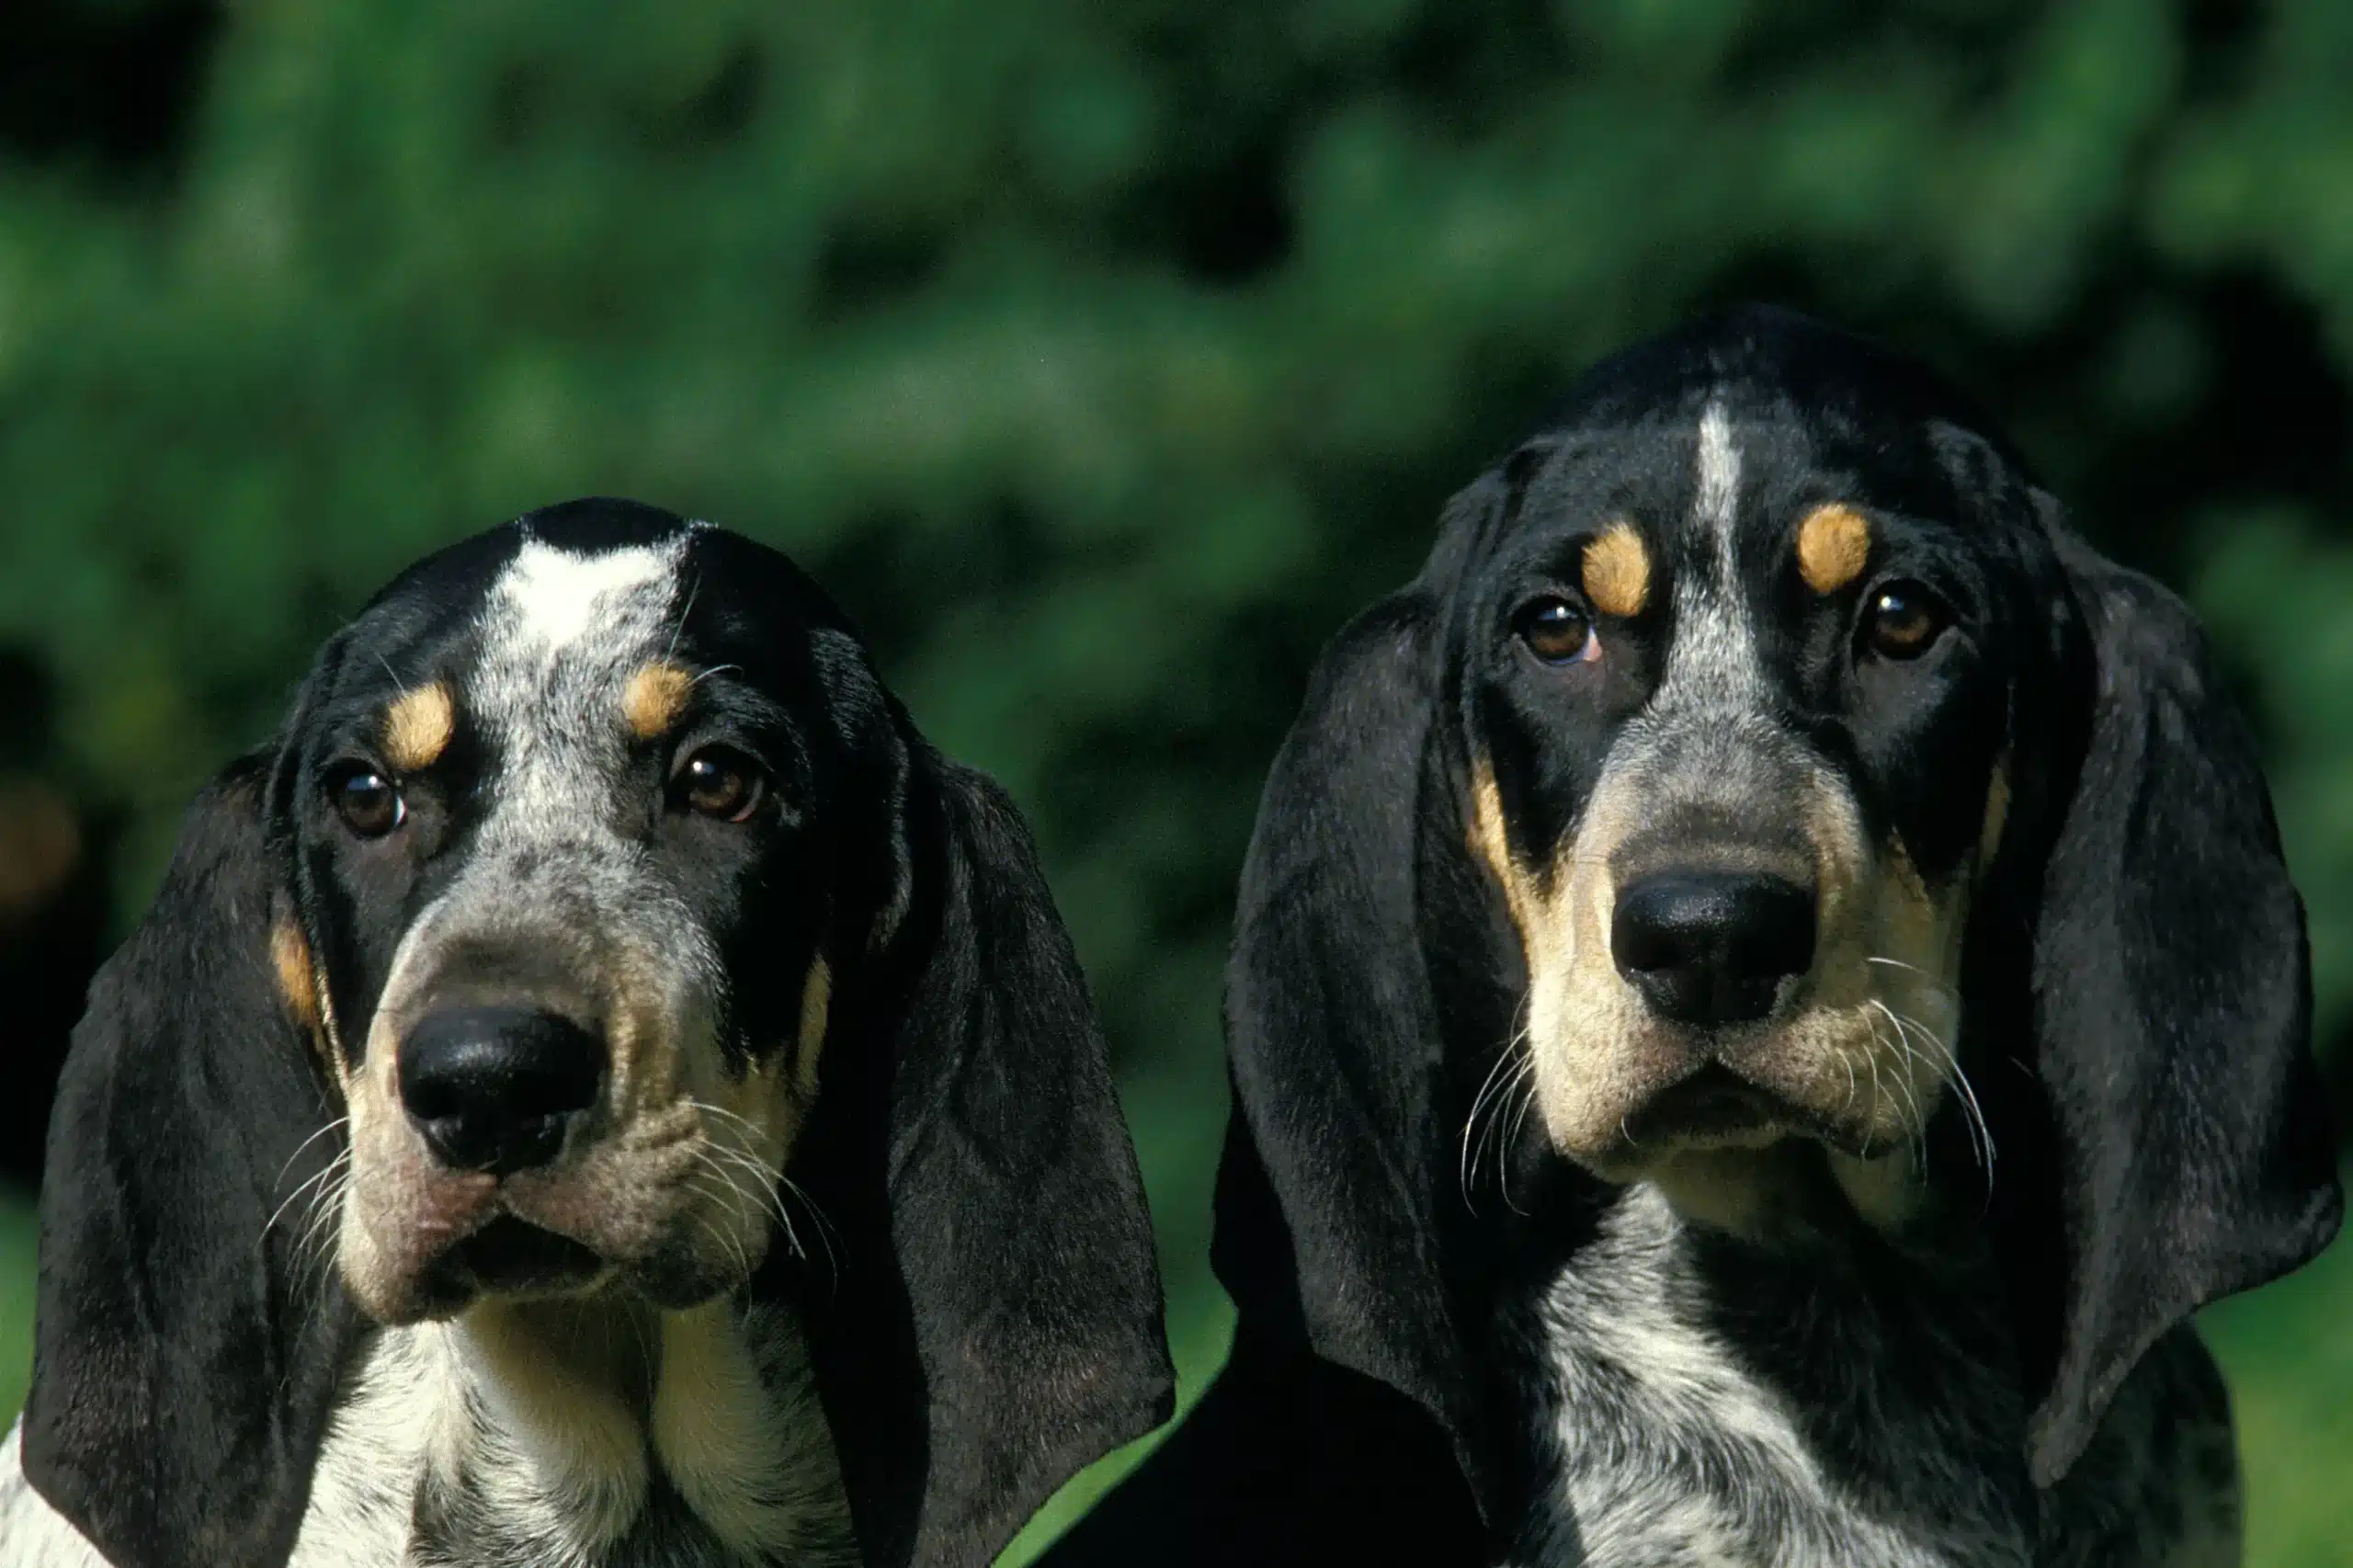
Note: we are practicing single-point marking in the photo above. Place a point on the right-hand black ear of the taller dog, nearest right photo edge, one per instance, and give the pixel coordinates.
(2173, 1011)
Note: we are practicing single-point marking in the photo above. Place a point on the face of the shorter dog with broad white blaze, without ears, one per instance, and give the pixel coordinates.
(561, 917)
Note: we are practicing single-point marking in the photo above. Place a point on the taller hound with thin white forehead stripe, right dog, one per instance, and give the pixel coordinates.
(1766, 997)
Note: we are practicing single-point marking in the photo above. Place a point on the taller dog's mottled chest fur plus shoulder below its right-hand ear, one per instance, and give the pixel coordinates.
(1834, 1397)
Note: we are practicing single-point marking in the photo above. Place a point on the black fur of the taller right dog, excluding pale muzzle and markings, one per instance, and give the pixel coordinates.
(2135, 990)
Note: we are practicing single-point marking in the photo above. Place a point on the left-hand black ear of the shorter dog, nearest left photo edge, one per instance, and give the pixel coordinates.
(182, 1362)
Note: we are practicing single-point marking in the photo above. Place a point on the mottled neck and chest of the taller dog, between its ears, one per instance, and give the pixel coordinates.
(1773, 1395)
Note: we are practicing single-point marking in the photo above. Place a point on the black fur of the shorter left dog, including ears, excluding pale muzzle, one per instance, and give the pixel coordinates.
(982, 1308)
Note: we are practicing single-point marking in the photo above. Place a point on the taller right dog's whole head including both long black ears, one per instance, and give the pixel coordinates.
(1757, 773)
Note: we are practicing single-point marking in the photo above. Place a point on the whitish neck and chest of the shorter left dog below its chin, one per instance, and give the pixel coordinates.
(587, 1433)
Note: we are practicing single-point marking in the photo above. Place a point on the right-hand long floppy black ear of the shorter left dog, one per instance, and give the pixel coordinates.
(996, 1310)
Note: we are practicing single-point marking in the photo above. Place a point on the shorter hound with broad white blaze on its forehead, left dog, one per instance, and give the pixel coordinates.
(418, 1185)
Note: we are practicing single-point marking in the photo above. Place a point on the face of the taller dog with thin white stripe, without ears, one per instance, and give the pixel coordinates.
(1740, 691)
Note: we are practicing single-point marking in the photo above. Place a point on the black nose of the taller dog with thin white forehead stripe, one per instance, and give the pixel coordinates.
(1712, 948)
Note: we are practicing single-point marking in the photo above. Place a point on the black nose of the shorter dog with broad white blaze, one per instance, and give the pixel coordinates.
(493, 1089)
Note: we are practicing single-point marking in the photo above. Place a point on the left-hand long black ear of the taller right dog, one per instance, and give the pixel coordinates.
(1328, 1225)
